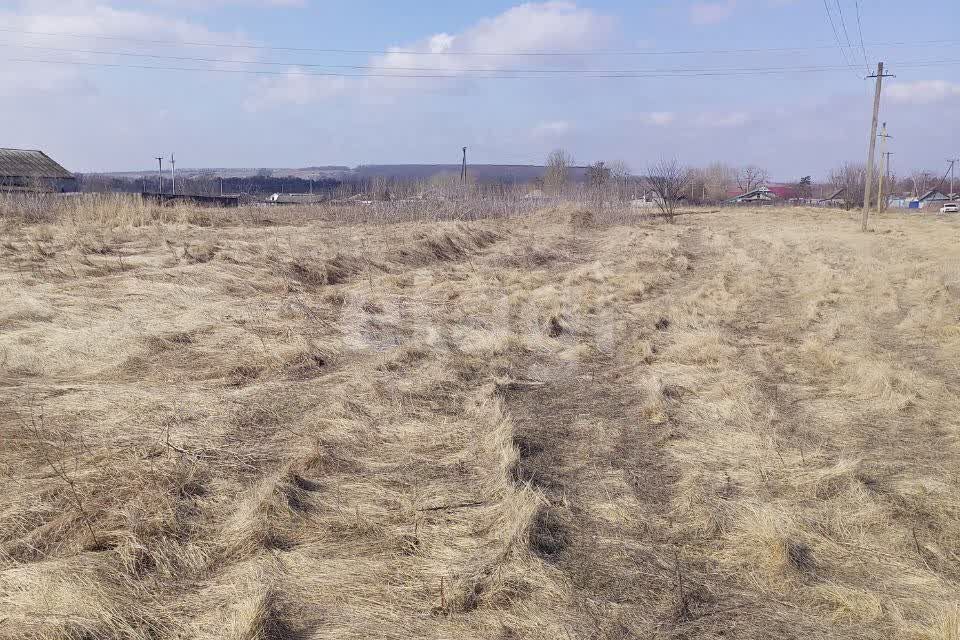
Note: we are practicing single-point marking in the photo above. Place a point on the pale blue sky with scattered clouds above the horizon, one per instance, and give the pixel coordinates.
(292, 83)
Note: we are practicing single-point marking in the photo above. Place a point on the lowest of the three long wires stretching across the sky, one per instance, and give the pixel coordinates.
(451, 76)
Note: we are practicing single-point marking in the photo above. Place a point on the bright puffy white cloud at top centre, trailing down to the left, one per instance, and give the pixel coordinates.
(557, 25)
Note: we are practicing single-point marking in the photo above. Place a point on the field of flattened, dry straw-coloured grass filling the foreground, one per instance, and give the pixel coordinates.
(261, 426)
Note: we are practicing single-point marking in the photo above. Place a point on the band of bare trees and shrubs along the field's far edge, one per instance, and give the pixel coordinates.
(664, 183)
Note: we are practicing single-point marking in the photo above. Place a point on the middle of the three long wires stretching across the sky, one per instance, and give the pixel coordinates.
(450, 70)
